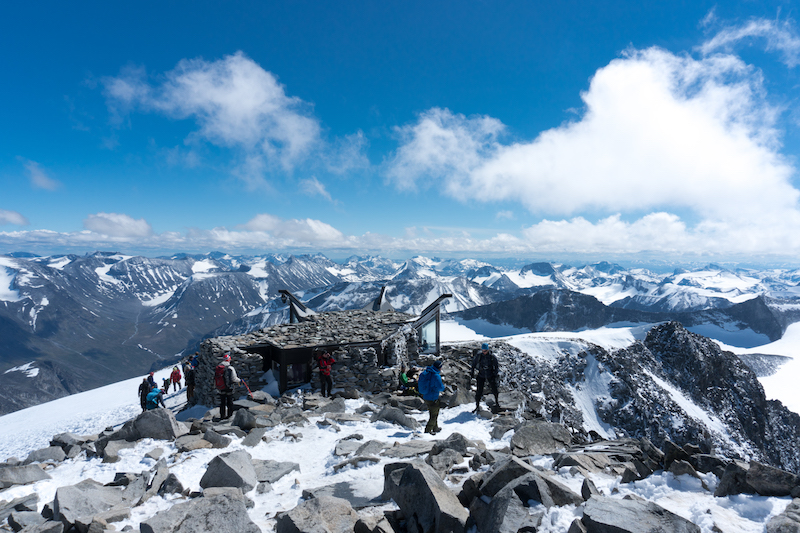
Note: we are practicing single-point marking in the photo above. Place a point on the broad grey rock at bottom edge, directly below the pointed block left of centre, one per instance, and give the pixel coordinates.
(220, 513)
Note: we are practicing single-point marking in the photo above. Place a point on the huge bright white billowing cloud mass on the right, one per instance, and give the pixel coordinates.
(660, 133)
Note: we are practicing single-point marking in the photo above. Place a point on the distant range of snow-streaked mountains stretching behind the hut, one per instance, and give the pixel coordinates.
(85, 321)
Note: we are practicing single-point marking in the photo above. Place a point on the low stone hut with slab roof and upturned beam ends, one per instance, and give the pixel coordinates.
(364, 342)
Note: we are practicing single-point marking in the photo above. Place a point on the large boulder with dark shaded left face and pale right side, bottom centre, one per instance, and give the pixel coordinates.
(424, 498)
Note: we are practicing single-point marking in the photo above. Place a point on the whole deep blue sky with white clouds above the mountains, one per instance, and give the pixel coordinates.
(661, 130)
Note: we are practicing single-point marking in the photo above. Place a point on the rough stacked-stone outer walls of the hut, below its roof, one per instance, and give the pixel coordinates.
(356, 368)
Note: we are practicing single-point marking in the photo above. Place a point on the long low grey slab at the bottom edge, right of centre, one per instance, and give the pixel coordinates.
(605, 515)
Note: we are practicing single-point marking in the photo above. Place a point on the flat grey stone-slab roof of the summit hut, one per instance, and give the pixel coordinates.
(335, 327)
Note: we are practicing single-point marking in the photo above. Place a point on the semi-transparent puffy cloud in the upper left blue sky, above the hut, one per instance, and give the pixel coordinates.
(237, 104)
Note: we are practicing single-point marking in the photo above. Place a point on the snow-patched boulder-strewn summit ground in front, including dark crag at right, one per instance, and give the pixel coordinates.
(665, 431)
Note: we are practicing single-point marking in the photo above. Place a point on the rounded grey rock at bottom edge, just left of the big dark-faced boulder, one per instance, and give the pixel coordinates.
(322, 514)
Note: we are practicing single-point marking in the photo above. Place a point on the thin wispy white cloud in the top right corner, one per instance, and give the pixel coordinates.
(779, 36)
